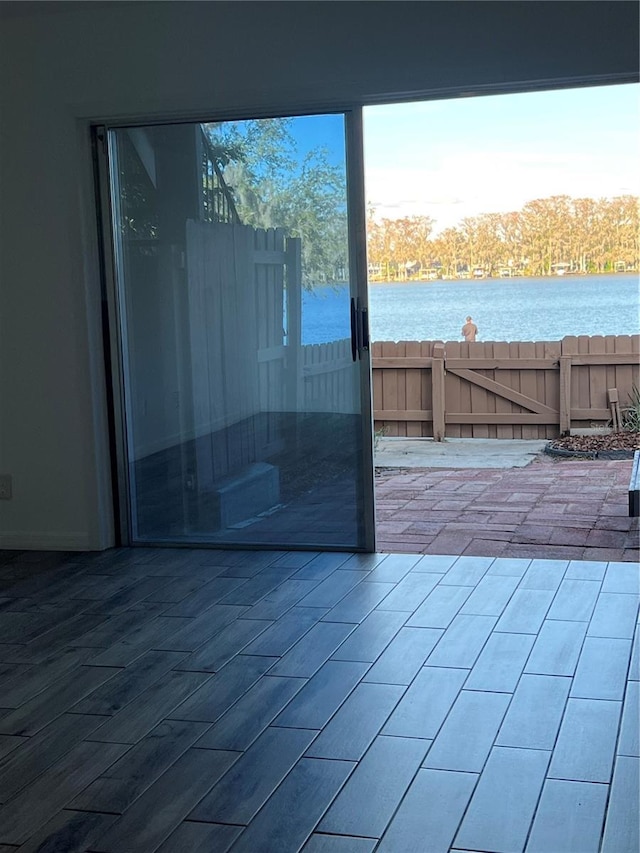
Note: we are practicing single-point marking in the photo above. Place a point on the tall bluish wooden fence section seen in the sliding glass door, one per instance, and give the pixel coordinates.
(243, 289)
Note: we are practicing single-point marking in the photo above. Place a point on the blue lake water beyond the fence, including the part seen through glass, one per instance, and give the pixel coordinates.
(517, 309)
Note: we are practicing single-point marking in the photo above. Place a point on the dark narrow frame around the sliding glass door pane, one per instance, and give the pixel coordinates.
(112, 314)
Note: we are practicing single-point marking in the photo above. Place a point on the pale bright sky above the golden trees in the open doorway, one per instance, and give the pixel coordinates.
(454, 158)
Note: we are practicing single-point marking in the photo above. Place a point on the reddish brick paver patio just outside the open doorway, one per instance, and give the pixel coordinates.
(554, 509)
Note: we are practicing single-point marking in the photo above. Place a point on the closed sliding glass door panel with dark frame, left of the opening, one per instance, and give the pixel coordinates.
(240, 300)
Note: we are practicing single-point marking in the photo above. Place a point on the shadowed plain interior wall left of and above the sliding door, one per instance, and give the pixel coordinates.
(58, 71)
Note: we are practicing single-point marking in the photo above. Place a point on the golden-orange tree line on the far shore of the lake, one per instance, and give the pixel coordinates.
(551, 235)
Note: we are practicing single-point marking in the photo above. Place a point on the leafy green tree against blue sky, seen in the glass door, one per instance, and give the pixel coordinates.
(274, 188)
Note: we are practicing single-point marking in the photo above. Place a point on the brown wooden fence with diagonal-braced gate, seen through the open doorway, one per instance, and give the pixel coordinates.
(500, 389)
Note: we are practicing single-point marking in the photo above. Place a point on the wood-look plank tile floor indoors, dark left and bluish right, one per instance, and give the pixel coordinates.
(199, 700)
